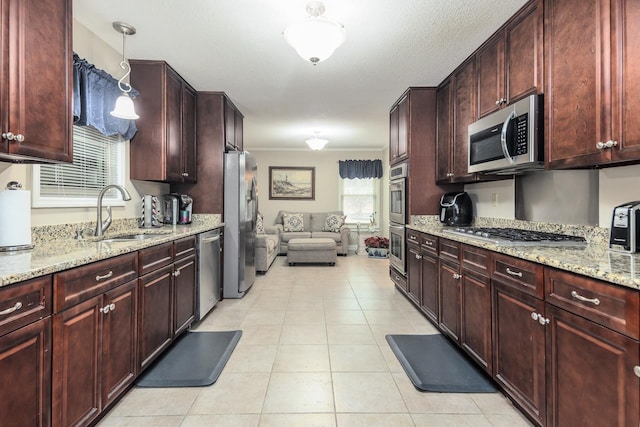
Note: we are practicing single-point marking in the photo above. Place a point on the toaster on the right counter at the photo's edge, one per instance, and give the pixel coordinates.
(625, 234)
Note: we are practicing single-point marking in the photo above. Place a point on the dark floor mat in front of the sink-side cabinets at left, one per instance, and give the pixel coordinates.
(195, 360)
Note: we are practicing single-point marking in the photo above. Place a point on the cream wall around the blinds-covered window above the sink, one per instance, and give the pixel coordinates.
(88, 46)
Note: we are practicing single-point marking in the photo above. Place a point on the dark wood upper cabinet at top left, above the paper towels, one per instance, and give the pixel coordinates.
(35, 105)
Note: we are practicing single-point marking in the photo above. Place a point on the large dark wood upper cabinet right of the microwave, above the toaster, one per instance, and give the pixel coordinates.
(592, 91)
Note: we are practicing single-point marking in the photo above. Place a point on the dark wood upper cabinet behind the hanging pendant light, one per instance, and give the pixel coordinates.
(164, 149)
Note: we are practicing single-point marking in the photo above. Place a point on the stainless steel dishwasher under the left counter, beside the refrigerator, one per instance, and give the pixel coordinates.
(209, 286)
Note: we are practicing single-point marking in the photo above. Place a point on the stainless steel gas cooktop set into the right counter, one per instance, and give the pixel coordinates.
(517, 237)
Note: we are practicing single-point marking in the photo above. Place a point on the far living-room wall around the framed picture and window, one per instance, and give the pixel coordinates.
(327, 180)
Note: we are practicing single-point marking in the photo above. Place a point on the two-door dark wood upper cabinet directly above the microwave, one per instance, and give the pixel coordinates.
(510, 64)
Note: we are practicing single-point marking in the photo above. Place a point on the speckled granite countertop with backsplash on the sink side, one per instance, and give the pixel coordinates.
(56, 249)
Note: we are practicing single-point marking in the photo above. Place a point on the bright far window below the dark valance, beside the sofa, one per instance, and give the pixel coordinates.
(359, 200)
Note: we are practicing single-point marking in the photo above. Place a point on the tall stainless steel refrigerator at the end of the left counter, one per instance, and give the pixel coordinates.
(240, 214)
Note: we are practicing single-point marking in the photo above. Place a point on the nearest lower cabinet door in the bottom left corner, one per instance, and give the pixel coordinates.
(25, 363)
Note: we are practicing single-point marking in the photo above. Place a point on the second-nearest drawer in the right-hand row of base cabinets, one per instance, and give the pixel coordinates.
(524, 275)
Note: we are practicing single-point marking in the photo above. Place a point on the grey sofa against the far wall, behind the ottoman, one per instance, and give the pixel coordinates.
(314, 225)
